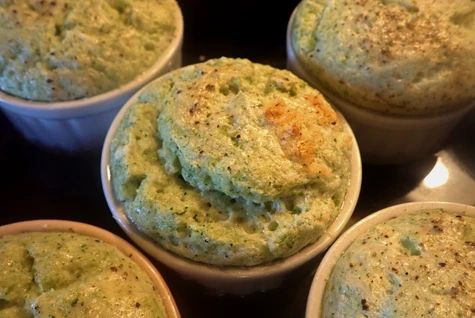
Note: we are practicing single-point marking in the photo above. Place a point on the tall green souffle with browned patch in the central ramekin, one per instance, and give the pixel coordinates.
(229, 162)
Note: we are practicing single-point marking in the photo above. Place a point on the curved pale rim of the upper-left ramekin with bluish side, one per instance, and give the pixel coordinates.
(98, 103)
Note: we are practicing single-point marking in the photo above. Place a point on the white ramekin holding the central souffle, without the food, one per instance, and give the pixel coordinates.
(229, 280)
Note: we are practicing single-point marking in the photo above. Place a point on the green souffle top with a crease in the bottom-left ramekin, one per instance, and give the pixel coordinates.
(61, 274)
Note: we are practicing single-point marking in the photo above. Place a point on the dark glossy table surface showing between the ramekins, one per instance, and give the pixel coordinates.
(37, 183)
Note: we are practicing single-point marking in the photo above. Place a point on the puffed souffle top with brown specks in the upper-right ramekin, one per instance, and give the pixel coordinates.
(401, 57)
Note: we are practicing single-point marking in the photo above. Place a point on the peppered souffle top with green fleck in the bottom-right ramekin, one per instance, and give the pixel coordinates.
(416, 265)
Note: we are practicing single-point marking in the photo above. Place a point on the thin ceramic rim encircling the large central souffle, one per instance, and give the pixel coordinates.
(204, 271)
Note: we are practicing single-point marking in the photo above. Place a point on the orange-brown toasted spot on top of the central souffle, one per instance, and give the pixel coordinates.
(298, 135)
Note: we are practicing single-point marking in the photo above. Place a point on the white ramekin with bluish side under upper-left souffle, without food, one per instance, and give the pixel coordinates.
(81, 125)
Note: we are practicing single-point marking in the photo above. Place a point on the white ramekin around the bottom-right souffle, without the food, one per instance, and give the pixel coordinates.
(317, 289)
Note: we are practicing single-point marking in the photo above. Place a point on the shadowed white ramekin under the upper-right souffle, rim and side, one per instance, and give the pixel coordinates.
(384, 138)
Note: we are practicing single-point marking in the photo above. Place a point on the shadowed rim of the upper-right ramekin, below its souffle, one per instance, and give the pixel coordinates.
(400, 121)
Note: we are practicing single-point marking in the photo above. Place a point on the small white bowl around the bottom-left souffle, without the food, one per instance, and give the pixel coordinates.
(82, 228)
